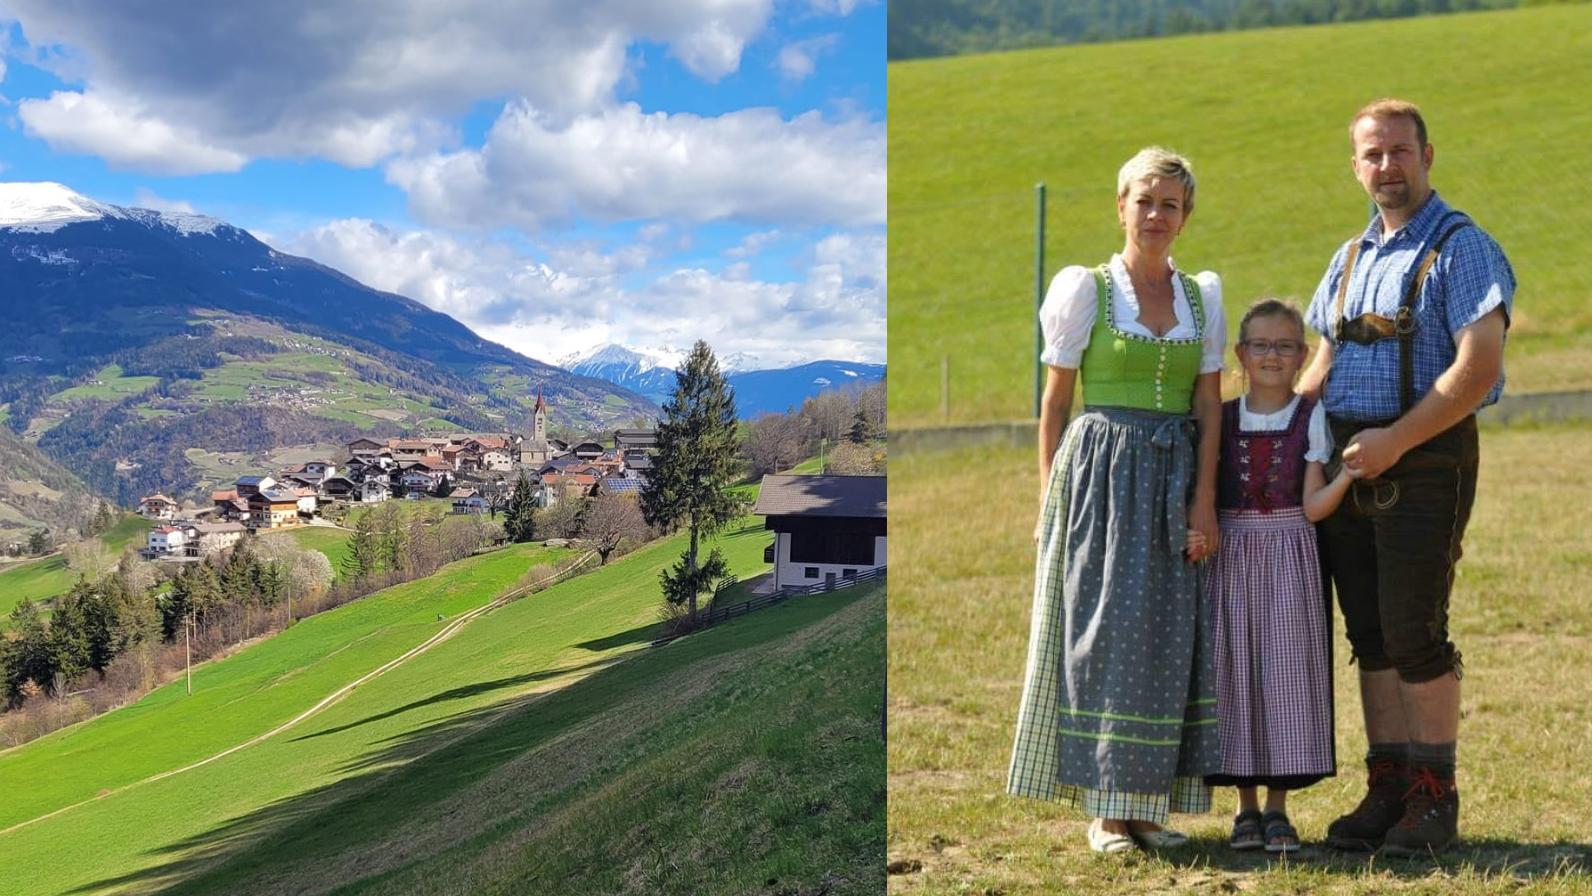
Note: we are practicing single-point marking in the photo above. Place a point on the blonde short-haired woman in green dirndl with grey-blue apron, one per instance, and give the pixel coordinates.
(1118, 714)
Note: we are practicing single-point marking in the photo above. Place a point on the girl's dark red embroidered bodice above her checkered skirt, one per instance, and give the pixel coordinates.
(1263, 472)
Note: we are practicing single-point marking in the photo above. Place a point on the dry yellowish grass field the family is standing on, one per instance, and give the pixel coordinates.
(959, 629)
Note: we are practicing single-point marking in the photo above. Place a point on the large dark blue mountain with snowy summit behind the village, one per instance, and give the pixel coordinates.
(136, 337)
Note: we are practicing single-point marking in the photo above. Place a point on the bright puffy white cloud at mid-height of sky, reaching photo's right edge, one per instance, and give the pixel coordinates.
(626, 165)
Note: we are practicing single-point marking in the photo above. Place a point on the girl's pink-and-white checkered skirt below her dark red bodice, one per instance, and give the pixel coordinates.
(1274, 691)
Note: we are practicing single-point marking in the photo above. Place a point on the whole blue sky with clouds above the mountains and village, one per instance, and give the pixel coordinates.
(555, 176)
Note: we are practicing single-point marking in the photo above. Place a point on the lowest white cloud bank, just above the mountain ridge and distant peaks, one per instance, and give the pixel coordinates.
(576, 302)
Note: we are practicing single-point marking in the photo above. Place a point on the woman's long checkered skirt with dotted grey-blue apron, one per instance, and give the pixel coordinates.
(1118, 712)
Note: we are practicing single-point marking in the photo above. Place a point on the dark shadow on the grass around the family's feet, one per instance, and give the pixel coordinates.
(1481, 855)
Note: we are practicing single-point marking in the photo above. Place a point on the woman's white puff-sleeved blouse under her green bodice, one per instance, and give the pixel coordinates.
(1069, 311)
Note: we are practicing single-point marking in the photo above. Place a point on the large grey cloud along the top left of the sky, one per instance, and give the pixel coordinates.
(354, 82)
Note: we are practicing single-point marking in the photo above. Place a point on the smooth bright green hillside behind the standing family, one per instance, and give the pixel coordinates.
(1265, 117)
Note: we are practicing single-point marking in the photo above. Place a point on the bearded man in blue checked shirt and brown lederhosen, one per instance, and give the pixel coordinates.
(1413, 316)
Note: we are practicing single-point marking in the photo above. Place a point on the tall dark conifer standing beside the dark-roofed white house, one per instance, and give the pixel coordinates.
(698, 445)
